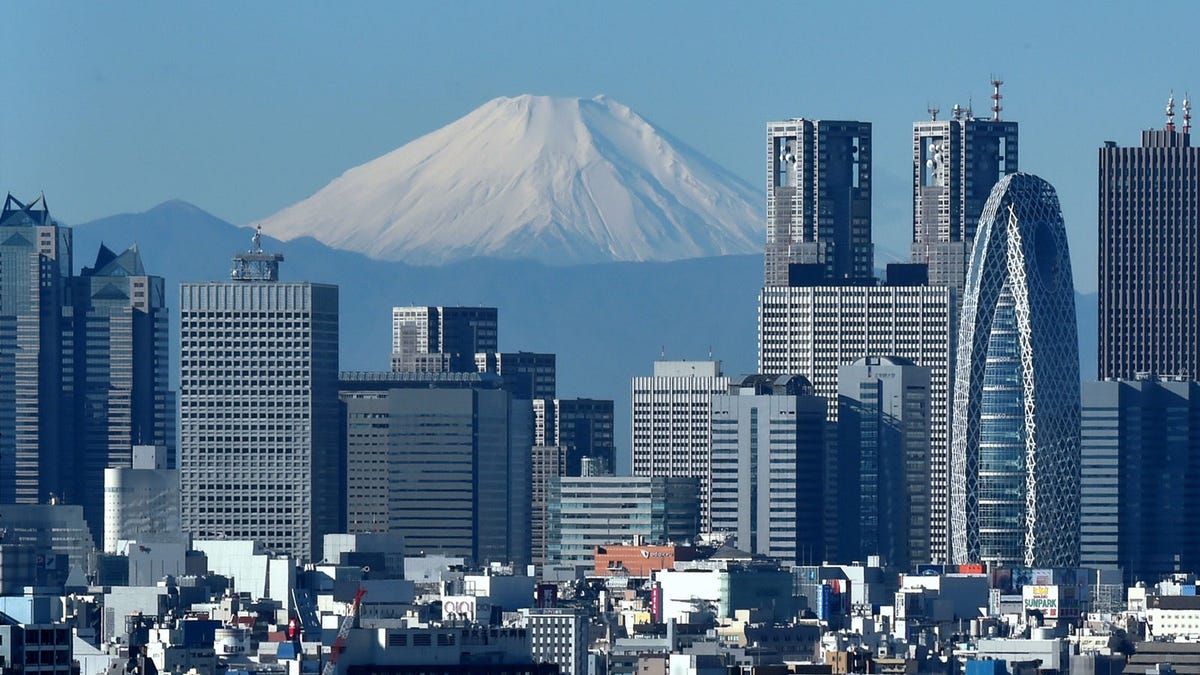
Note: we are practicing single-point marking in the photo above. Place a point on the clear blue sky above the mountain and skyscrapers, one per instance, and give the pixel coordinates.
(245, 109)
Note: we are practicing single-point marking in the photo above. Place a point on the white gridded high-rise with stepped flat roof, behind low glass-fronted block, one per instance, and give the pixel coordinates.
(671, 414)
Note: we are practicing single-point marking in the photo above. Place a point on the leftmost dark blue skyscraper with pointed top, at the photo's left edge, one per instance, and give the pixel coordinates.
(37, 450)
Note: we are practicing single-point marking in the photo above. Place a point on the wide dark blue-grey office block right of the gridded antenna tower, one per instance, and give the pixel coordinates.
(441, 459)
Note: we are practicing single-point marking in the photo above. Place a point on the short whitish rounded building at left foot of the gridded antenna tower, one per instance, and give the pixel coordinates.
(142, 501)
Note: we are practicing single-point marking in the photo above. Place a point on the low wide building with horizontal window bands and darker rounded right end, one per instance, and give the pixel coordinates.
(585, 513)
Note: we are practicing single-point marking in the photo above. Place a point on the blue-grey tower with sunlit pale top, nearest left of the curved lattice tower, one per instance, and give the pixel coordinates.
(884, 431)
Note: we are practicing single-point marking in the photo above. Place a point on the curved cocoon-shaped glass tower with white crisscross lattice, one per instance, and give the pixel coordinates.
(1015, 453)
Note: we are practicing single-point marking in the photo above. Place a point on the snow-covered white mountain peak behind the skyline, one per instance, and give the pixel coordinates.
(560, 181)
